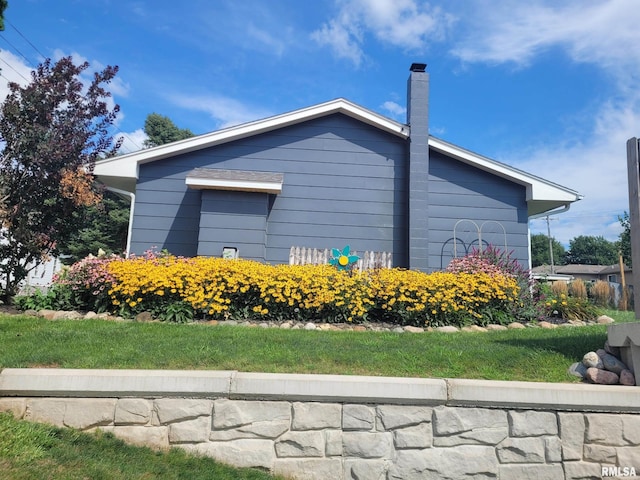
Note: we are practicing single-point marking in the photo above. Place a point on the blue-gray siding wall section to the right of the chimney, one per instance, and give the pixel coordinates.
(474, 200)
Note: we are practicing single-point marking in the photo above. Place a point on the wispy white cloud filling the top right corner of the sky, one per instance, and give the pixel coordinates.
(598, 32)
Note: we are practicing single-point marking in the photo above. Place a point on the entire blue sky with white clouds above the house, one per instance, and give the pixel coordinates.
(550, 87)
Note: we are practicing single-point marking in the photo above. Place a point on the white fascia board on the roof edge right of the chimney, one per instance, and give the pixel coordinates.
(537, 188)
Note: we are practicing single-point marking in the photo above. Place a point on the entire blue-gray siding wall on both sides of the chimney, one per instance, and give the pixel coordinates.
(345, 183)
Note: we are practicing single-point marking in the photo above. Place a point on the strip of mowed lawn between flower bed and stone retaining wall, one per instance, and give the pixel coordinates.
(532, 354)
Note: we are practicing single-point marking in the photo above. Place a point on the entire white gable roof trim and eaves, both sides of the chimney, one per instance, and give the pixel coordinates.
(121, 172)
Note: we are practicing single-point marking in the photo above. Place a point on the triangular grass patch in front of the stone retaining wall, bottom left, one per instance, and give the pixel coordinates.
(31, 451)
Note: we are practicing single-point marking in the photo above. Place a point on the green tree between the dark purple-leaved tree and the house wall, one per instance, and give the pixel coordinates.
(105, 227)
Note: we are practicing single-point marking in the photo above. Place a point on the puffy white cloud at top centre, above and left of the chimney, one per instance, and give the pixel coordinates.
(407, 24)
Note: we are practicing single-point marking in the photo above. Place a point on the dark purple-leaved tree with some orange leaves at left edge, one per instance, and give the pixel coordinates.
(53, 130)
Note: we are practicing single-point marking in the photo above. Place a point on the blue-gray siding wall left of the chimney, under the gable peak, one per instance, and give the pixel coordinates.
(344, 184)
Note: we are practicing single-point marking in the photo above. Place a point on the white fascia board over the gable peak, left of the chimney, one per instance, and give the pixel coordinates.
(127, 165)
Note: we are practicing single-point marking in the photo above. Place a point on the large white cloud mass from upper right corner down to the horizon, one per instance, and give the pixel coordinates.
(593, 162)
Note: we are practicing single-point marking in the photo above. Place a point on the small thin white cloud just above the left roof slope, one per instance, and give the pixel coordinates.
(225, 111)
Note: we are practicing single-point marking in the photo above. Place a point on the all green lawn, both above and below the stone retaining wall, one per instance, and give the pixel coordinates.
(32, 451)
